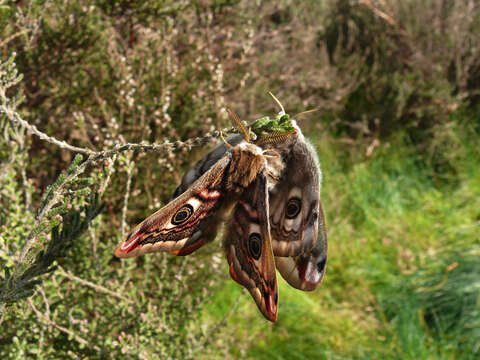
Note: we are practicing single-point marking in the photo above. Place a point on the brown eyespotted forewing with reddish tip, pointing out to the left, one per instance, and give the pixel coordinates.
(178, 226)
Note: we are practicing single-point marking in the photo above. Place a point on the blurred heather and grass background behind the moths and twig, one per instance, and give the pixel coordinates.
(397, 85)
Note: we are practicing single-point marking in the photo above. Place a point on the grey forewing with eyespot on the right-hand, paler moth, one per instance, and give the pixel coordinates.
(294, 202)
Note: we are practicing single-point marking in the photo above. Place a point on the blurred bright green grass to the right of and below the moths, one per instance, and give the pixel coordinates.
(404, 254)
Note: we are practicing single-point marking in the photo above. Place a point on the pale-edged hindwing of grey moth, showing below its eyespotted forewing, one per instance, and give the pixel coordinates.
(306, 271)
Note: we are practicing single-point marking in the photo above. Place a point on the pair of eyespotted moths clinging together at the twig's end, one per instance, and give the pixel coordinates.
(261, 188)
